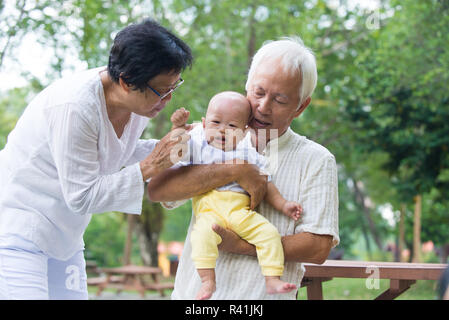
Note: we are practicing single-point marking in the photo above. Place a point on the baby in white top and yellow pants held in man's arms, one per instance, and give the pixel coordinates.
(220, 139)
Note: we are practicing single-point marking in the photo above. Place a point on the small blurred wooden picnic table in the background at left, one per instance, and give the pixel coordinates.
(131, 277)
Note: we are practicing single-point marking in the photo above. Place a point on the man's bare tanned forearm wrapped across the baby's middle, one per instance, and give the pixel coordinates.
(187, 182)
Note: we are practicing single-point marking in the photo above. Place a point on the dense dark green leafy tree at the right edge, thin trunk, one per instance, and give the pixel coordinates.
(401, 104)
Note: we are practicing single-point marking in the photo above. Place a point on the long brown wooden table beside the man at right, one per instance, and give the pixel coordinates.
(402, 275)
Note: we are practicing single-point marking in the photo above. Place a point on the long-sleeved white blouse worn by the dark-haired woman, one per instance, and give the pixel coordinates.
(63, 161)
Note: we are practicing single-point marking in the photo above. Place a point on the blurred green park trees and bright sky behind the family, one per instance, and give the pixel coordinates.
(381, 106)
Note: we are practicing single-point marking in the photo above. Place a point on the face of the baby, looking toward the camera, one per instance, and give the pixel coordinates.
(226, 122)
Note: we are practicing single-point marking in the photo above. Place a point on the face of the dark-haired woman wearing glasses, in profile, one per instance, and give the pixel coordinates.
(148, 103)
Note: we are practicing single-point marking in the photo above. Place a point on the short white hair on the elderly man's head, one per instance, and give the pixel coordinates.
(295, 57)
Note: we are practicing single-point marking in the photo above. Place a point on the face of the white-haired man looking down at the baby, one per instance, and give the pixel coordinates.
(274, 98)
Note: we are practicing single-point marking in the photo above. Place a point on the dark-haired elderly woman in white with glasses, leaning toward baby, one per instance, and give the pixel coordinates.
(76, 151)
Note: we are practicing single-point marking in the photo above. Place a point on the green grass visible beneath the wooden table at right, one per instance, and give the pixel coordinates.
(356, 289)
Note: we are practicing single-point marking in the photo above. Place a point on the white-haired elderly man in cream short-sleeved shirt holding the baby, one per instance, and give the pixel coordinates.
(281, 80)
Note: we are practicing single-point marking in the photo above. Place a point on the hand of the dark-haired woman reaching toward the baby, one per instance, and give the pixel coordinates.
(169, 150)
